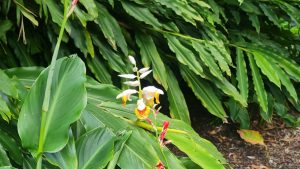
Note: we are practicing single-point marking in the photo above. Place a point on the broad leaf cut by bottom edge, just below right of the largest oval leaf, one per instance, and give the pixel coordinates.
(95, 148)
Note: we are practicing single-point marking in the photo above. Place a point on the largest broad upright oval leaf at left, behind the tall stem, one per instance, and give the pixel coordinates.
(51, 135)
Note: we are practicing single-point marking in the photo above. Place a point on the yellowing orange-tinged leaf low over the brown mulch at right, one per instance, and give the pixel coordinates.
(251, 136)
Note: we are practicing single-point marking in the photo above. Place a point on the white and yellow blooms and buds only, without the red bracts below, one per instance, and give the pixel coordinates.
(148, 96)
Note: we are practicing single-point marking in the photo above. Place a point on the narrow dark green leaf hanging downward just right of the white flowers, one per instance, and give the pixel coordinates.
(178, 107)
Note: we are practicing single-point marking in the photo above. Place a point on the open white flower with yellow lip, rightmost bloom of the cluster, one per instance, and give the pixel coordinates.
(151, 92)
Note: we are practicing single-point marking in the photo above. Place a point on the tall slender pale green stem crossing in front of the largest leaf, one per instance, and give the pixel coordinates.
(46, 101)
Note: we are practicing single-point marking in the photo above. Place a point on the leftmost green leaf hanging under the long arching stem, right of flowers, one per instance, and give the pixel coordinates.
(184, 55)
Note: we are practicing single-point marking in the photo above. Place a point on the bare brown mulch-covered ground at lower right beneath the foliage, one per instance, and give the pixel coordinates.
(282, 152)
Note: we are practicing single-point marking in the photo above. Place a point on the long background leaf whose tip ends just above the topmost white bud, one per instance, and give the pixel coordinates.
(111, 29)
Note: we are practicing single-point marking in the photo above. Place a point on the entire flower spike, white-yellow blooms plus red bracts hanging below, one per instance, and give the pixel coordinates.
(147, 102)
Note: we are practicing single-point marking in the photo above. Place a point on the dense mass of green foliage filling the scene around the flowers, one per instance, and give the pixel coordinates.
(233, 54)
